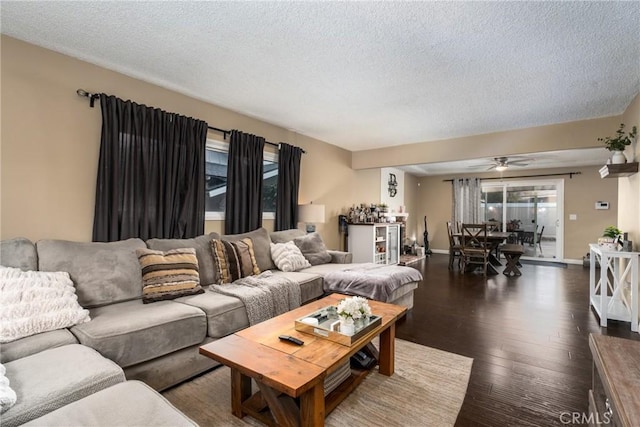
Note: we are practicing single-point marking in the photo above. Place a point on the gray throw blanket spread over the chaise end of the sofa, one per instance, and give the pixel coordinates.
(373, 281)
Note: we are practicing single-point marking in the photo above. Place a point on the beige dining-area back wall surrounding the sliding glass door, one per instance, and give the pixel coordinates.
(580, 194)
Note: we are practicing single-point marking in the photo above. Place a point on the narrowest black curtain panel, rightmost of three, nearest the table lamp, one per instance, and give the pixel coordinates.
(288, 186)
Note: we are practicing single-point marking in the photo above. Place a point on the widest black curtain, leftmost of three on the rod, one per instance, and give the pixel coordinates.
(151, 173)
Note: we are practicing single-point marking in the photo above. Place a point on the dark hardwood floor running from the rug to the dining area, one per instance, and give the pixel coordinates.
(528, 337)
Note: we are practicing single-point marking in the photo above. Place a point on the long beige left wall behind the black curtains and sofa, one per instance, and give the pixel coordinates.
(50, 144)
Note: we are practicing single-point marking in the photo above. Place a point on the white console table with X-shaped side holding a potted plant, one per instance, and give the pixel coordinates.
(614, 292)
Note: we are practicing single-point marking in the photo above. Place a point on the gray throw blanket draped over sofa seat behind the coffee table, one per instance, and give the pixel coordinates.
(264, 296)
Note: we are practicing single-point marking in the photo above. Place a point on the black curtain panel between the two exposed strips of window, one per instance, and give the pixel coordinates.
(243, 210)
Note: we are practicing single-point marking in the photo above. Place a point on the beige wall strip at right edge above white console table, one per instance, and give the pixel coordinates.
(629, 187)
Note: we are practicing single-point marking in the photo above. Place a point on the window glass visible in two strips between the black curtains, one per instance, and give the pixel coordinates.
(216, 181)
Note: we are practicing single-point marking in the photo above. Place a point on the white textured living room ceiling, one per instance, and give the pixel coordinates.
(362, 75)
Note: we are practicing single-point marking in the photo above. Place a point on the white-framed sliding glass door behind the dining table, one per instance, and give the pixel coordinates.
(531, 211)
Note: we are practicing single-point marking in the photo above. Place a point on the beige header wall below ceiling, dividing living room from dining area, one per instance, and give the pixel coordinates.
(564, 136)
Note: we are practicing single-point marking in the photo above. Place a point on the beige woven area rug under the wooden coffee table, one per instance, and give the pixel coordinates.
(427, 389)
